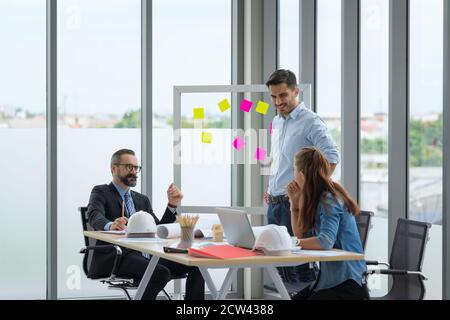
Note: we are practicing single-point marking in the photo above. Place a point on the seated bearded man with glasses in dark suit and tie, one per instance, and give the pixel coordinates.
(105, 213)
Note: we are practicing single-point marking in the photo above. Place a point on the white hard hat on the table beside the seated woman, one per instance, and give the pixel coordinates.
(274, 241)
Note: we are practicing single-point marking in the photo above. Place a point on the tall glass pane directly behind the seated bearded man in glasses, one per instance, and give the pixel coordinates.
(99, 92)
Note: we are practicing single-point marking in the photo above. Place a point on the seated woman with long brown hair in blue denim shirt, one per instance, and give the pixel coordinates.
(320, 204)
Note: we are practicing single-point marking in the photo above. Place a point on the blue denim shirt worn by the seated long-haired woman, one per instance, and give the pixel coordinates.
(335, 227)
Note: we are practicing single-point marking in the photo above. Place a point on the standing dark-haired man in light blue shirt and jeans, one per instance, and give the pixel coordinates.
(294, 128)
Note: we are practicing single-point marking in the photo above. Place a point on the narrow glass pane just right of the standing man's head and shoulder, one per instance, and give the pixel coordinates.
(328, 104)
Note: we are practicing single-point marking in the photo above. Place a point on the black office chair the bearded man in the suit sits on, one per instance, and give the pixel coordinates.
(113, 282)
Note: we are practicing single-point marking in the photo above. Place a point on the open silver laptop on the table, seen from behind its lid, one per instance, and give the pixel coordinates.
(237, 227)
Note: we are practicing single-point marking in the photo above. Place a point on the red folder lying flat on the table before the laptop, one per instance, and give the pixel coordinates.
(221, 252)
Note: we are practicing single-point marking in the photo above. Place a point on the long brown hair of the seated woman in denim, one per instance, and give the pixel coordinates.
(316, 170)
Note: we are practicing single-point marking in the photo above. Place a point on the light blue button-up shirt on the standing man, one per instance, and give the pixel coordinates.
(301, 128)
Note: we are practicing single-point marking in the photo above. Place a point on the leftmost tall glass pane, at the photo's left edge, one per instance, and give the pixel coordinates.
(23, 145)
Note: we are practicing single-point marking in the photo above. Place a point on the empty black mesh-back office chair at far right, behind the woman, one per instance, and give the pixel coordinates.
(405, 262)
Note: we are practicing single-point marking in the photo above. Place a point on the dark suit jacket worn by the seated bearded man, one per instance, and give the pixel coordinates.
(105, 205)
